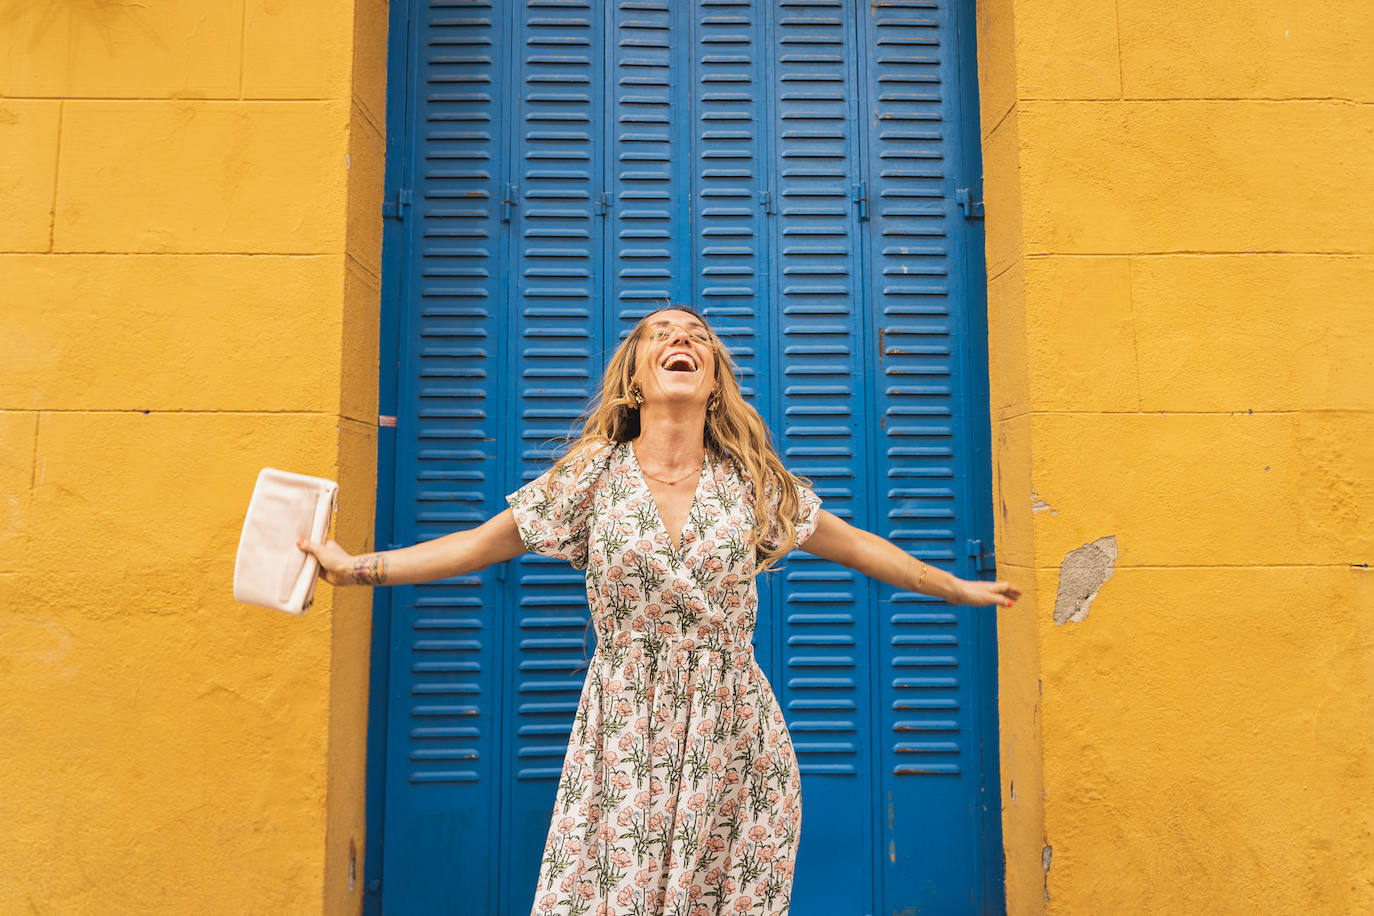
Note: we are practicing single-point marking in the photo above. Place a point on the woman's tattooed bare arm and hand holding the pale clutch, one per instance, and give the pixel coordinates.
(457, 554)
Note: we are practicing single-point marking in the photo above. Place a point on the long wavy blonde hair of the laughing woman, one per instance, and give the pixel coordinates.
(734, 431)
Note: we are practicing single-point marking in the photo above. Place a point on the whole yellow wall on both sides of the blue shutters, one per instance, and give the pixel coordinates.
(1181, 257)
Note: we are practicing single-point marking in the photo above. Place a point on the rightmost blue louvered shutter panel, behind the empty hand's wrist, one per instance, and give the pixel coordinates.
(930, 707)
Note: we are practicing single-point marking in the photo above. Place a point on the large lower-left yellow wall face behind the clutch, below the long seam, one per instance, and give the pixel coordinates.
(190, 727)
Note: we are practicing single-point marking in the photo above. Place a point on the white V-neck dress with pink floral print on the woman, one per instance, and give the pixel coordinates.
(679, 794)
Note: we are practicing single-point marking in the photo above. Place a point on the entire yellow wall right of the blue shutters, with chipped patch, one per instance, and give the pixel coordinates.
(1181, 274)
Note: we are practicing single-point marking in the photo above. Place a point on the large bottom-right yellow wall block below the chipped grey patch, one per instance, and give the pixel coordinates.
(1207, 744)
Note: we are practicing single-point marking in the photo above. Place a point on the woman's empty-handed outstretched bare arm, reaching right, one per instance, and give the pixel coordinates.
(881, 560)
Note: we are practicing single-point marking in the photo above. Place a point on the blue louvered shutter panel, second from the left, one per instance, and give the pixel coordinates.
(554, 307)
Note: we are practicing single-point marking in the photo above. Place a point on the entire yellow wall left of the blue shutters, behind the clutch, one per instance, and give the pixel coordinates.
(190, 252)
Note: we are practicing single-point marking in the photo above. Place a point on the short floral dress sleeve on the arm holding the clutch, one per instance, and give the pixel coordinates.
(553, 512)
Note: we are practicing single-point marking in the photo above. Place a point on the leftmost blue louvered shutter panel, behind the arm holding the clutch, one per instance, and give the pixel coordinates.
(443, 723)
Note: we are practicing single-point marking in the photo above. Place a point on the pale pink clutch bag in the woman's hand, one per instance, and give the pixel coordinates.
(271, 571)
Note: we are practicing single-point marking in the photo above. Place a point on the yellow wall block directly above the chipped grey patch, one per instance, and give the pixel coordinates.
(1186, 490)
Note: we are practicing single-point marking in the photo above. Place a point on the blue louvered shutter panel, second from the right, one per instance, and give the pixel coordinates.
(825, 617)
